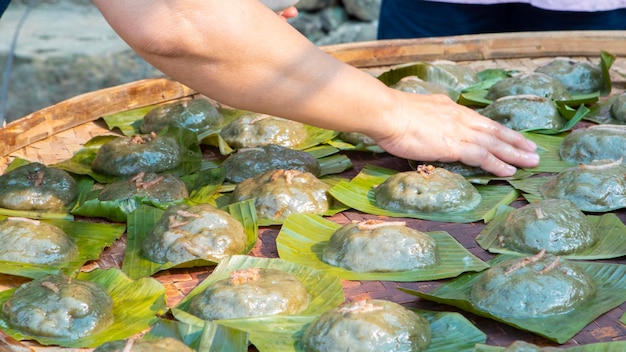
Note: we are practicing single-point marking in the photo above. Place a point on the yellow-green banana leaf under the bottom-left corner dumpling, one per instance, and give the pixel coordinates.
(135, 307)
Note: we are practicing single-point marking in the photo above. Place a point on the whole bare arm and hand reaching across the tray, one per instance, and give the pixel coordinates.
(241, 54)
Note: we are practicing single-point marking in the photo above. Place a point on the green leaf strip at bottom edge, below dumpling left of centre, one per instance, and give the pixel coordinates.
(208, 336)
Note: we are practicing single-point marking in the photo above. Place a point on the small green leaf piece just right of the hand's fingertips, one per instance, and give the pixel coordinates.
(548, 149)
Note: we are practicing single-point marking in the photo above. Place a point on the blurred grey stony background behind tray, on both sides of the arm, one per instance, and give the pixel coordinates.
(62, 48)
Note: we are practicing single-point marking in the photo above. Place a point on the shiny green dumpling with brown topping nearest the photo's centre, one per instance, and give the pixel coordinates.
(379, 246)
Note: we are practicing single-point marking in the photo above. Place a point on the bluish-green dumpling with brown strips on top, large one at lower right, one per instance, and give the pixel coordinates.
(529, 287)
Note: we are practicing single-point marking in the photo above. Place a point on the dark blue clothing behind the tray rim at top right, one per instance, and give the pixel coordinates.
(418, 18)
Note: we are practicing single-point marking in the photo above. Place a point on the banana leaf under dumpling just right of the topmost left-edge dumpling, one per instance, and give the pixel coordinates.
(202, 185)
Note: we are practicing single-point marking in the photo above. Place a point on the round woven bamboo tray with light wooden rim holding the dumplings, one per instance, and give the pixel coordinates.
(57, 132)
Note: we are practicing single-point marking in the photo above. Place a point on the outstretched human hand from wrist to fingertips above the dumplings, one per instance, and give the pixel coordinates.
(434, 128)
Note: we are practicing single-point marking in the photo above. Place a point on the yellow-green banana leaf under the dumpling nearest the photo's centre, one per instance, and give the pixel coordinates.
(302, 239)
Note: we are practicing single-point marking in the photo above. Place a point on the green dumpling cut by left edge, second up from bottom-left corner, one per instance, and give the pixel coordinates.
(36, 242)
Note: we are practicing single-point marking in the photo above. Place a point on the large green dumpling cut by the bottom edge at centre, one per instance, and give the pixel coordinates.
(368, 326)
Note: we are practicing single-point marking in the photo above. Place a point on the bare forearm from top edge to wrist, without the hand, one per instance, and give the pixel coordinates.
(243, 55)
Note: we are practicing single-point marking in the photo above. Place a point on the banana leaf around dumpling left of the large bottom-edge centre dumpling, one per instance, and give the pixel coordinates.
(325, 291)
